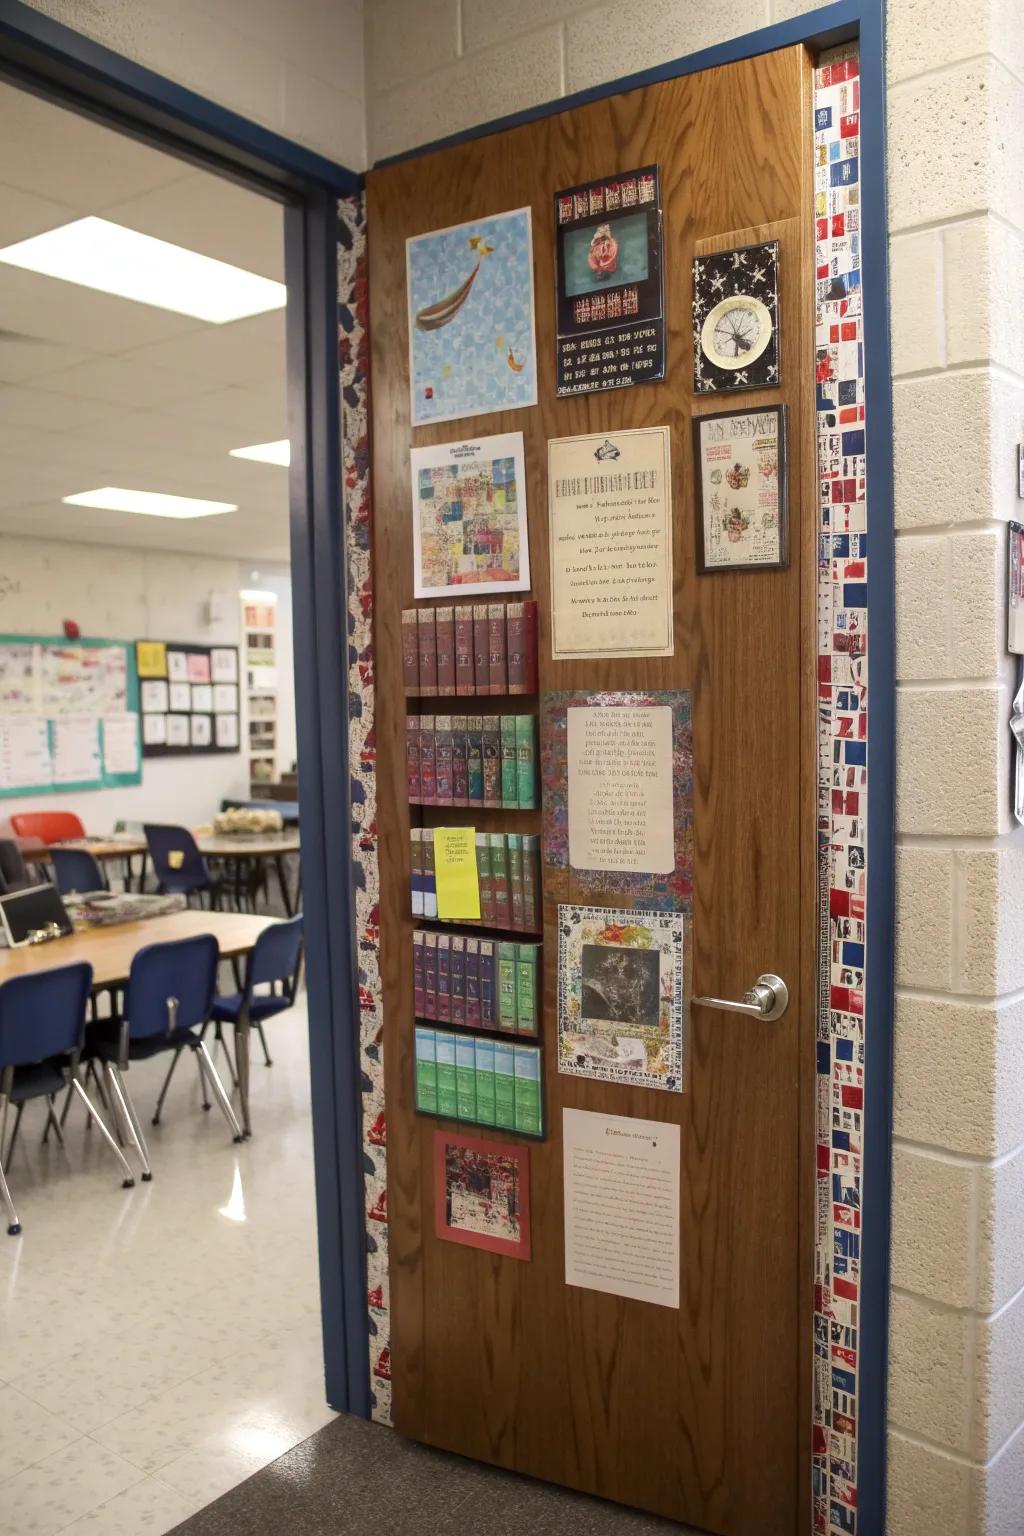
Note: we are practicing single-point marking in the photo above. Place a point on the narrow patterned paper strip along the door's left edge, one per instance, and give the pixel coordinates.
(355, 448)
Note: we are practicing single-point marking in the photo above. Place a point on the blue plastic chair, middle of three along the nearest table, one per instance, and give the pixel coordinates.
(168, 1001)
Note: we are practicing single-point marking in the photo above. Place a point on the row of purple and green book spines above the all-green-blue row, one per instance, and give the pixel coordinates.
(478, 984)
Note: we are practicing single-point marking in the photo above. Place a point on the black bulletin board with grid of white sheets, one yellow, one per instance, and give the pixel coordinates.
(190, 700)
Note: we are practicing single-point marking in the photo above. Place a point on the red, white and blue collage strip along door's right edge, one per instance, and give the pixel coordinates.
(842, 787)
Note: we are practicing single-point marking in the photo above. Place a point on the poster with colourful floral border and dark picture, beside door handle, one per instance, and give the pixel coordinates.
(623, 996)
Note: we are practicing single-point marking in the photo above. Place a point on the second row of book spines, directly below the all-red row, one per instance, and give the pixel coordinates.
(472, 760)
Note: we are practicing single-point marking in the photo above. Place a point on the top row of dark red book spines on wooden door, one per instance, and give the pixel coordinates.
(474, 647)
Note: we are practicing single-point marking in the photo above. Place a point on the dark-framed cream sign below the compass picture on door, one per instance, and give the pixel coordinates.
(742, 489)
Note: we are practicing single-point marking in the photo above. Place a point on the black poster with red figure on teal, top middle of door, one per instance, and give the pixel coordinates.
(610, 300)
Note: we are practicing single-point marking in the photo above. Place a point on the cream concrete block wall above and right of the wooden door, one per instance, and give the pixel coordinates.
(957, 227)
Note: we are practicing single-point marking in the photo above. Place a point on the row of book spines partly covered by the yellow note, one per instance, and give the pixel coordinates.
(507, 872)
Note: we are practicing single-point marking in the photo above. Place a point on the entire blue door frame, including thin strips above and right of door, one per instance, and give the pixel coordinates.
(59, 62)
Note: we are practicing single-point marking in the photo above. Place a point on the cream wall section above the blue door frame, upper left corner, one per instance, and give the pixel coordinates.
(289, 65)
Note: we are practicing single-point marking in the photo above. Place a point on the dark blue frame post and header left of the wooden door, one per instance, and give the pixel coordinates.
(61, 64)
